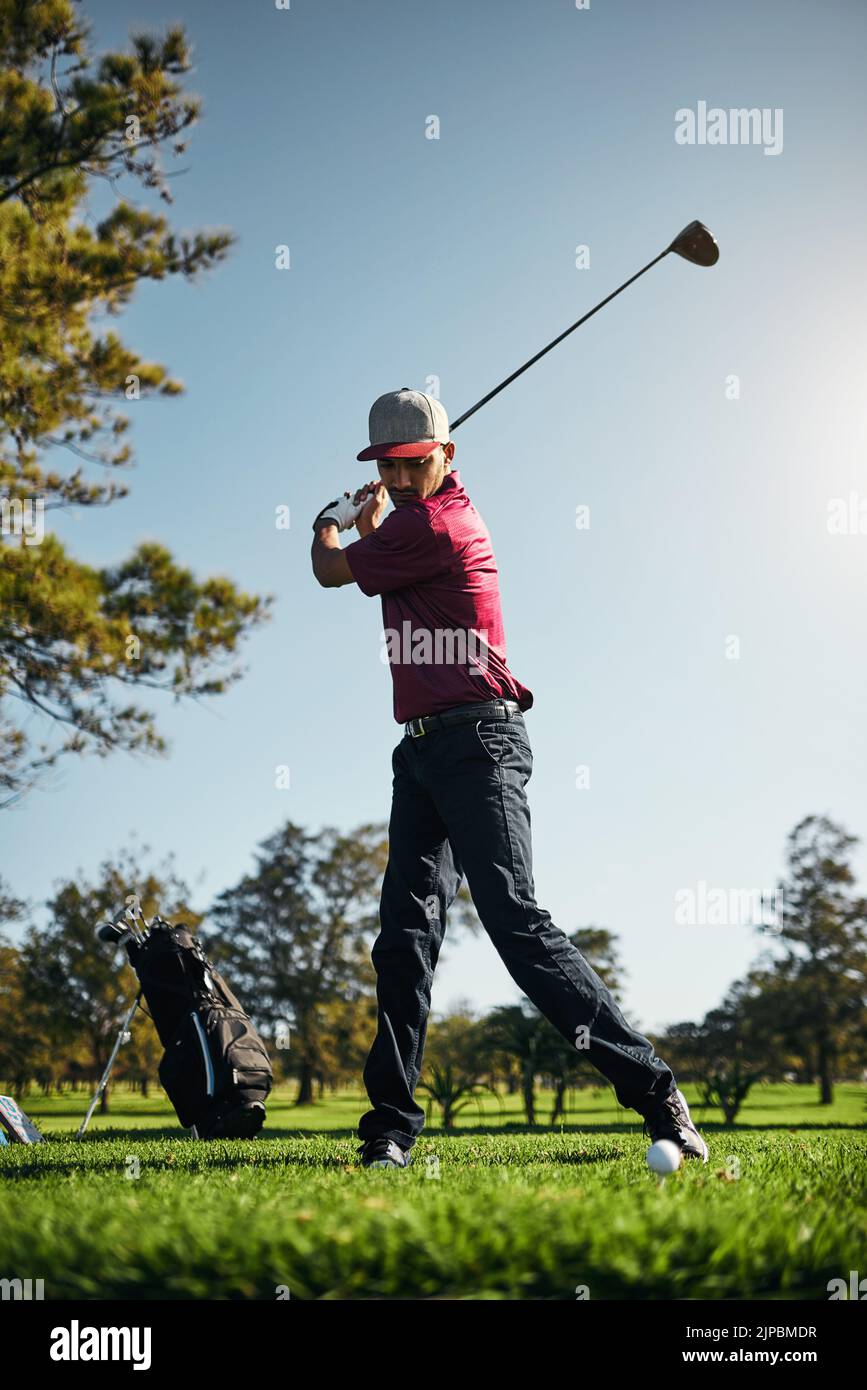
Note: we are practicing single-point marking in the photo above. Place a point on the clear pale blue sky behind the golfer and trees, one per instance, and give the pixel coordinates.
(456, 259)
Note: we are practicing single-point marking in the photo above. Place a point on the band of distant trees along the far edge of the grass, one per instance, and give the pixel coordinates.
(294, 939)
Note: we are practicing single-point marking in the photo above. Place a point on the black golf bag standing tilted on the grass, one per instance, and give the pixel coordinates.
(216, 1070)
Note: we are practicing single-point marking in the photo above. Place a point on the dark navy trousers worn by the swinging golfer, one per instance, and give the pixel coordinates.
(461, 808)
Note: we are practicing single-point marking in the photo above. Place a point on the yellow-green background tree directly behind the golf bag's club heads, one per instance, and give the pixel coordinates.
(74, 979)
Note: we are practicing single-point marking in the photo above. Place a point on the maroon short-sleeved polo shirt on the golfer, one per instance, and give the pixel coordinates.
(434, 566)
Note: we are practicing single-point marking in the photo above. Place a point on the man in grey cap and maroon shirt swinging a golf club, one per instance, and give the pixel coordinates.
(461, 772)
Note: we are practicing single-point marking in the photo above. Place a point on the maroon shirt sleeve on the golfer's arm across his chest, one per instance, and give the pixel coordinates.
(404, 551)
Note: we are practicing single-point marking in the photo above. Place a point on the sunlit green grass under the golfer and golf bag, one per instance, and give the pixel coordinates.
(494, 1211)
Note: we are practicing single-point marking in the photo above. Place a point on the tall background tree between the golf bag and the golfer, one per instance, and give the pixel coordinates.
(295, 936)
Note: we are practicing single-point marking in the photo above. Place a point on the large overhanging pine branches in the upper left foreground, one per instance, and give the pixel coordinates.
(76, 639)
